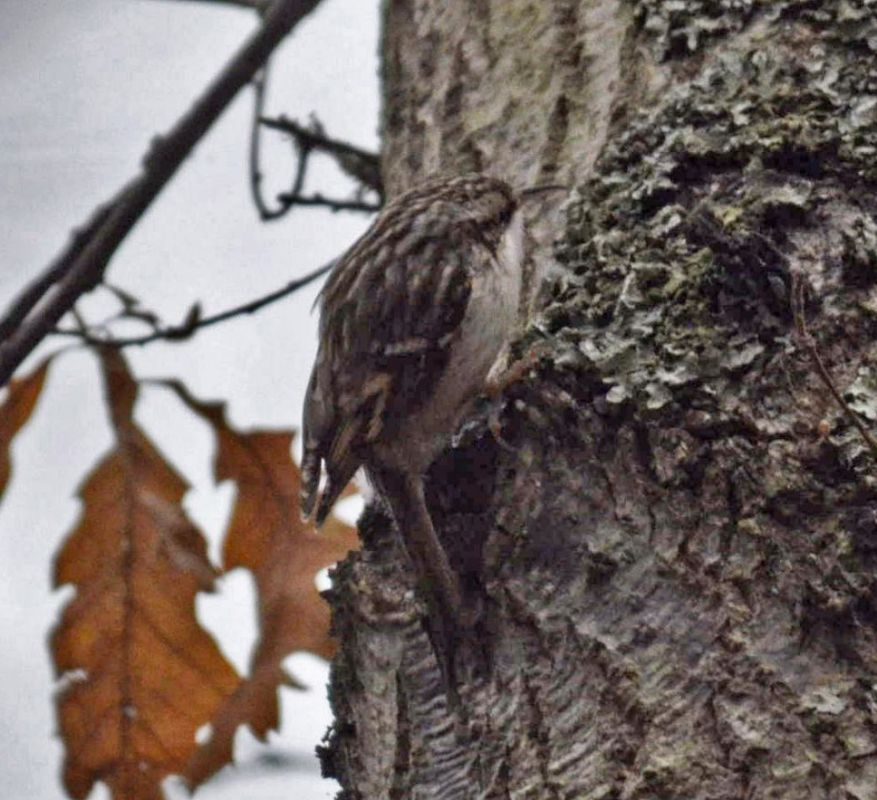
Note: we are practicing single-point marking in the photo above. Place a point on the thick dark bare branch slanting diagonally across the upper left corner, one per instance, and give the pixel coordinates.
(81, 266)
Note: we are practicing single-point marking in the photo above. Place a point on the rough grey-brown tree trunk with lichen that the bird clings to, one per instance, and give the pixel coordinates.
(678, 550)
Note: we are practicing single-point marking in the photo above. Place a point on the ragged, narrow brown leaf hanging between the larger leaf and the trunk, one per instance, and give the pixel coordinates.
(267, 536)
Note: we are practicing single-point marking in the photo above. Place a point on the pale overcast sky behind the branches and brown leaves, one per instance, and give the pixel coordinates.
(83, 88)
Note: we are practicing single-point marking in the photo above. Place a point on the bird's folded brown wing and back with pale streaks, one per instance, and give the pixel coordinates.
(388, 320)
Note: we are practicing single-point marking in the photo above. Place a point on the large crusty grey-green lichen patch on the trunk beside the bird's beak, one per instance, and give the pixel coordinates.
(681, 247)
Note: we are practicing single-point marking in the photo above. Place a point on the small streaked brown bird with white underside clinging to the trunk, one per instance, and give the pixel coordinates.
(413, 319)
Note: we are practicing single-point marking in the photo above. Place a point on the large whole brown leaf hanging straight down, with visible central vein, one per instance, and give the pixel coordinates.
(140, 675)
